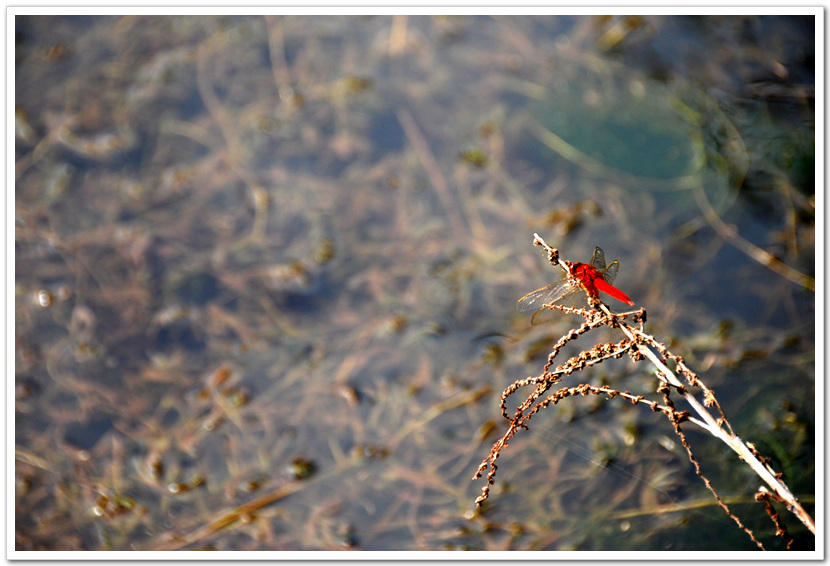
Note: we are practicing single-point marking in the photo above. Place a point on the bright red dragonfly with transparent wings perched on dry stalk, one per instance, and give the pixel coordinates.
(585, 280)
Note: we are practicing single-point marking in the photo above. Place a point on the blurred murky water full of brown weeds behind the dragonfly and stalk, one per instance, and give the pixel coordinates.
(266, 271)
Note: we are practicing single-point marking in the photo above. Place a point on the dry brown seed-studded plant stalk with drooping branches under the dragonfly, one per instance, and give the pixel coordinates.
(705, 411)
